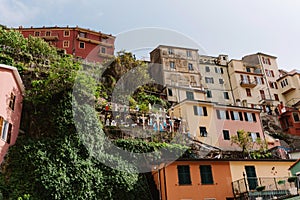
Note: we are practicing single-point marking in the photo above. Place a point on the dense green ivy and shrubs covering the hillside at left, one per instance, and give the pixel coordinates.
(50, 160)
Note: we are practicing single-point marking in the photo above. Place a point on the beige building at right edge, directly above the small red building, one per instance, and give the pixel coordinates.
(289, 87)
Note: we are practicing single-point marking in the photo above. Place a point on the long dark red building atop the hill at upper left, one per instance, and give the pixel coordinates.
(79, 42)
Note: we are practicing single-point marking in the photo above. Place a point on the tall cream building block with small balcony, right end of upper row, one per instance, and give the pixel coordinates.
(253, 81)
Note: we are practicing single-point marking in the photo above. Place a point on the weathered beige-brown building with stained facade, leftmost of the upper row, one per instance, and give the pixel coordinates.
(177, 68)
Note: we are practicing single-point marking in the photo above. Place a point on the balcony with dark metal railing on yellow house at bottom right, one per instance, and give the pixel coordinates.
(264, 188)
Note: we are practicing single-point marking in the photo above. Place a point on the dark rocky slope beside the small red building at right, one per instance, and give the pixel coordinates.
(272, 127)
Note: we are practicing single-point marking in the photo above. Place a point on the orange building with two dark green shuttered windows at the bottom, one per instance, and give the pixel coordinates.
(191, 180)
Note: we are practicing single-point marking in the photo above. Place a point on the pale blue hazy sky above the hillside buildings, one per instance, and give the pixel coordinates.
(232, 27)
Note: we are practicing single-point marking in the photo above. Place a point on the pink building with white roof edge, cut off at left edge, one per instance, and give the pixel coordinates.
(11, 95)
